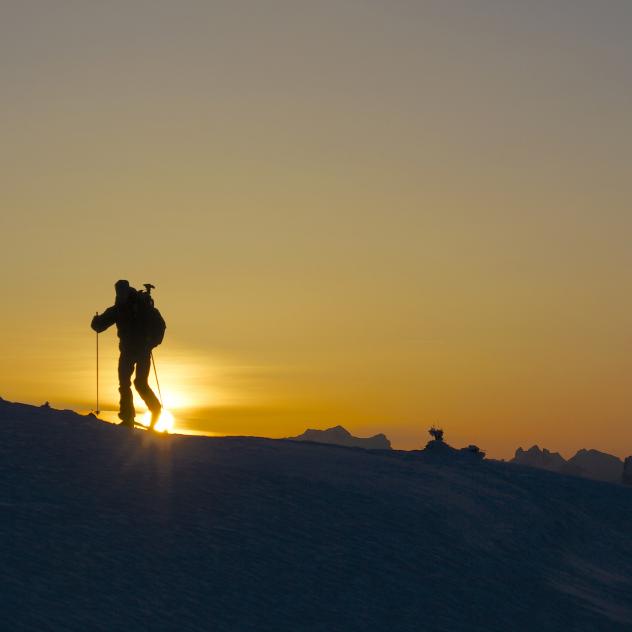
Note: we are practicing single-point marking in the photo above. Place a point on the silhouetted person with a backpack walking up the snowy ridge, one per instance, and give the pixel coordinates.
(140, 328)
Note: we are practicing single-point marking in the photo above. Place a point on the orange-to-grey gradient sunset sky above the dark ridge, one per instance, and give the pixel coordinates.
(383, 214)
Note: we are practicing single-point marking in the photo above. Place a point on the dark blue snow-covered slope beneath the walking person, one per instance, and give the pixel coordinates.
(108, 529)
